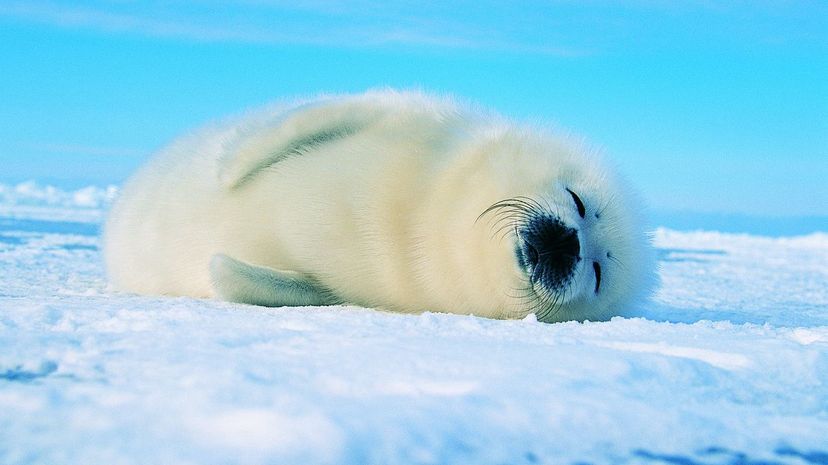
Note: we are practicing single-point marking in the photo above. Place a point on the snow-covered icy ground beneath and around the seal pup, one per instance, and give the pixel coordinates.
(729, 365)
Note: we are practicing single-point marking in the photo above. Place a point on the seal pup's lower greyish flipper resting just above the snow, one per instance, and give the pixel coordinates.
(241, 282)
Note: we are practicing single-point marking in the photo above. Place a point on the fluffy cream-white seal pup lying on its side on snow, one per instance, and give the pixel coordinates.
(400, 201)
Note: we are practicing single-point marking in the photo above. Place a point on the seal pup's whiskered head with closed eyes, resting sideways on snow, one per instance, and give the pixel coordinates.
(577, 243)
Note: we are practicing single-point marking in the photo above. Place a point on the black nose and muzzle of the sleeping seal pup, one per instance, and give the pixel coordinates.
(549, 251)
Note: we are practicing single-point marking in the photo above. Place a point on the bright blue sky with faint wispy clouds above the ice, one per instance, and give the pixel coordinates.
(706, 106)
